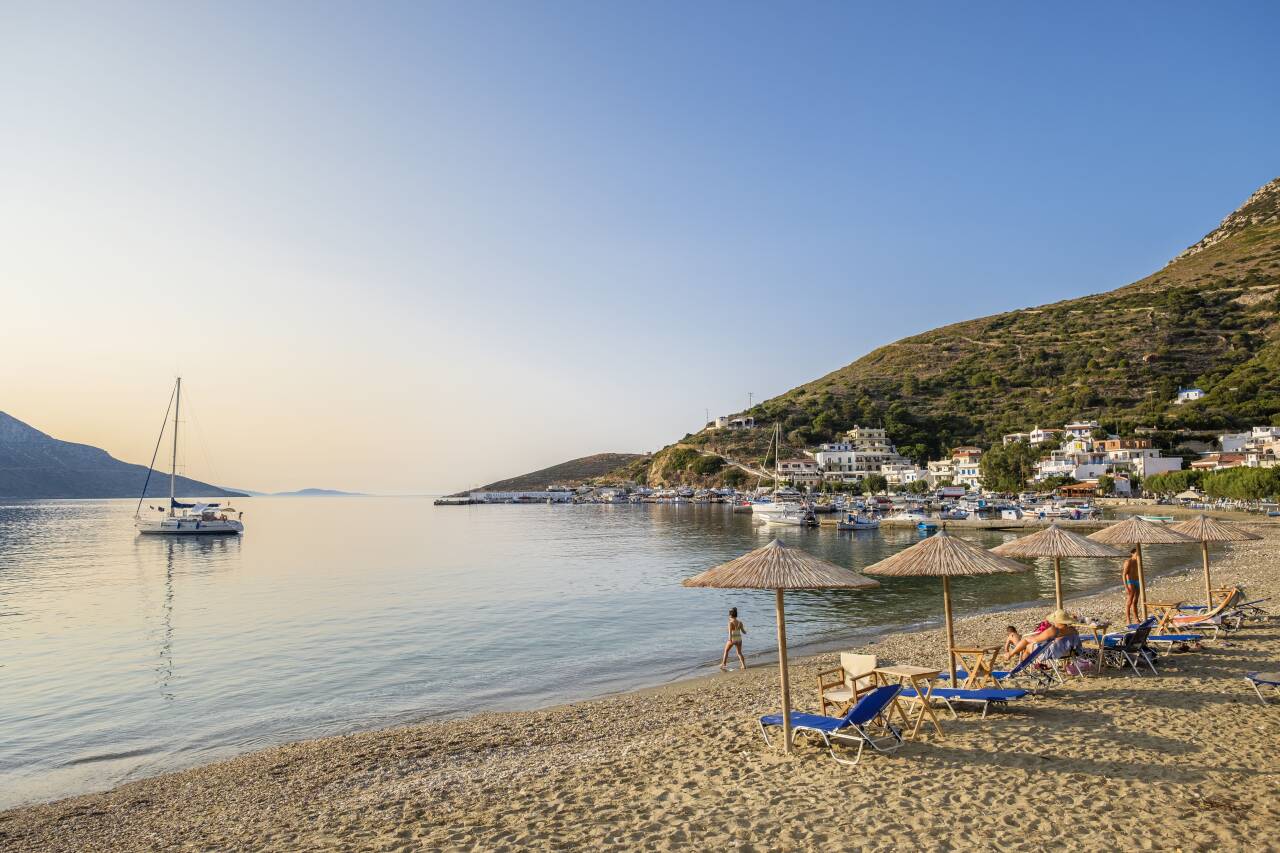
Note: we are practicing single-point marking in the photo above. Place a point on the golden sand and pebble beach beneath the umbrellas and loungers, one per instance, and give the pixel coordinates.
(1182, 761)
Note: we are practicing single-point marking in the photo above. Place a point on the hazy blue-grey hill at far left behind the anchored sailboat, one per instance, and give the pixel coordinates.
(35, 466)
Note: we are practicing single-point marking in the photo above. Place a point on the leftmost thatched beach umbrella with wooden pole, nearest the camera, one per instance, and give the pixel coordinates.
(778, 568)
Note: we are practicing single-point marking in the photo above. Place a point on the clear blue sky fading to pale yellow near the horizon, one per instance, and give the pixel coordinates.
(412, 248)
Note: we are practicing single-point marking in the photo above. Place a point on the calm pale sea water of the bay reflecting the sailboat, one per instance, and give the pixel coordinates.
(125, 656)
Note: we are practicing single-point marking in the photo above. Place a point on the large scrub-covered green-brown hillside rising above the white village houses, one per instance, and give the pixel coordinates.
(1208, 320)
